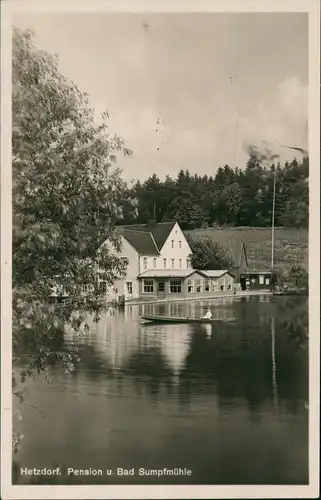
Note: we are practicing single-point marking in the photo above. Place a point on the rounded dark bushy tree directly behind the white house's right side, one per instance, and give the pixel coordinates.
(208, 254)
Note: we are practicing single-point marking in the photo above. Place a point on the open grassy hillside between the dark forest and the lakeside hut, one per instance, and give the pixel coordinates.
(291, 245)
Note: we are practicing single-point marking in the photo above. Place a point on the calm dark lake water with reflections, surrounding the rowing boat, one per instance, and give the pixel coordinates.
(228, 402)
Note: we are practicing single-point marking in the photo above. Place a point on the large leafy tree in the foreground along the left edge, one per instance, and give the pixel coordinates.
(66, 193)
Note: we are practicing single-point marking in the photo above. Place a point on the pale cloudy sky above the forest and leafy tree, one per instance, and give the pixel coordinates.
(186, 90)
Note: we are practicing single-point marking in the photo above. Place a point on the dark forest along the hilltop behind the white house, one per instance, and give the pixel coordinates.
(233, 197)
